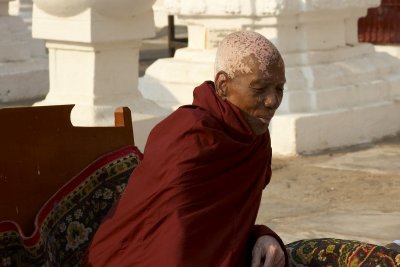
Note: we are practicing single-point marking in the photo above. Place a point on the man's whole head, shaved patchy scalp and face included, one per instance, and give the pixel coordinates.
(250, 74)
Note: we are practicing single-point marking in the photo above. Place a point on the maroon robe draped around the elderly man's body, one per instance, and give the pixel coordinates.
(194, 198)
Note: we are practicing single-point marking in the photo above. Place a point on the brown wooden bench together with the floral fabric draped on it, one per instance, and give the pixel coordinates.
(49, 174)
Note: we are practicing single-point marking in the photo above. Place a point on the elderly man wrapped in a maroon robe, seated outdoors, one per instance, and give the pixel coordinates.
(194, 199)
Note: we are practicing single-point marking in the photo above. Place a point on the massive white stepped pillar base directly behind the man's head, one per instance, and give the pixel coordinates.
(338, 92)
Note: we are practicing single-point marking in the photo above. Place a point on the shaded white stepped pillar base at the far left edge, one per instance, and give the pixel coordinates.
(23, 76)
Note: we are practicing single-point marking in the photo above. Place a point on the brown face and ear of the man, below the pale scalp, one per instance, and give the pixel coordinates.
(257, 93)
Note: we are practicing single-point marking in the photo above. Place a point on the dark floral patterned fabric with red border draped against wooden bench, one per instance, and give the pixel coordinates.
(67, 222)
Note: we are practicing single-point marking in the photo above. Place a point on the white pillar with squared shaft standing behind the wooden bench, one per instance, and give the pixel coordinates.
(93, 58)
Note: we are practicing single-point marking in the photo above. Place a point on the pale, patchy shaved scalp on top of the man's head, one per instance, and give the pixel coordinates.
(240, 51)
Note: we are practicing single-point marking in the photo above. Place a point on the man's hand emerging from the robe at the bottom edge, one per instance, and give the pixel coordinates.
(267, 253)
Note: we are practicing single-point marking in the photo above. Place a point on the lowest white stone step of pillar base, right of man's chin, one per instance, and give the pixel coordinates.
(299, 133)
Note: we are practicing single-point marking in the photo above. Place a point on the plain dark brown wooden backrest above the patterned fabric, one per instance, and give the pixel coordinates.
(41, 151)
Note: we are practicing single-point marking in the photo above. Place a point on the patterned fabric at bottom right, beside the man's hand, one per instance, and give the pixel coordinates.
(339, 253)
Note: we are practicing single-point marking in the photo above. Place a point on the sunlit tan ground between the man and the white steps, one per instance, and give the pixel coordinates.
(352, 193)
